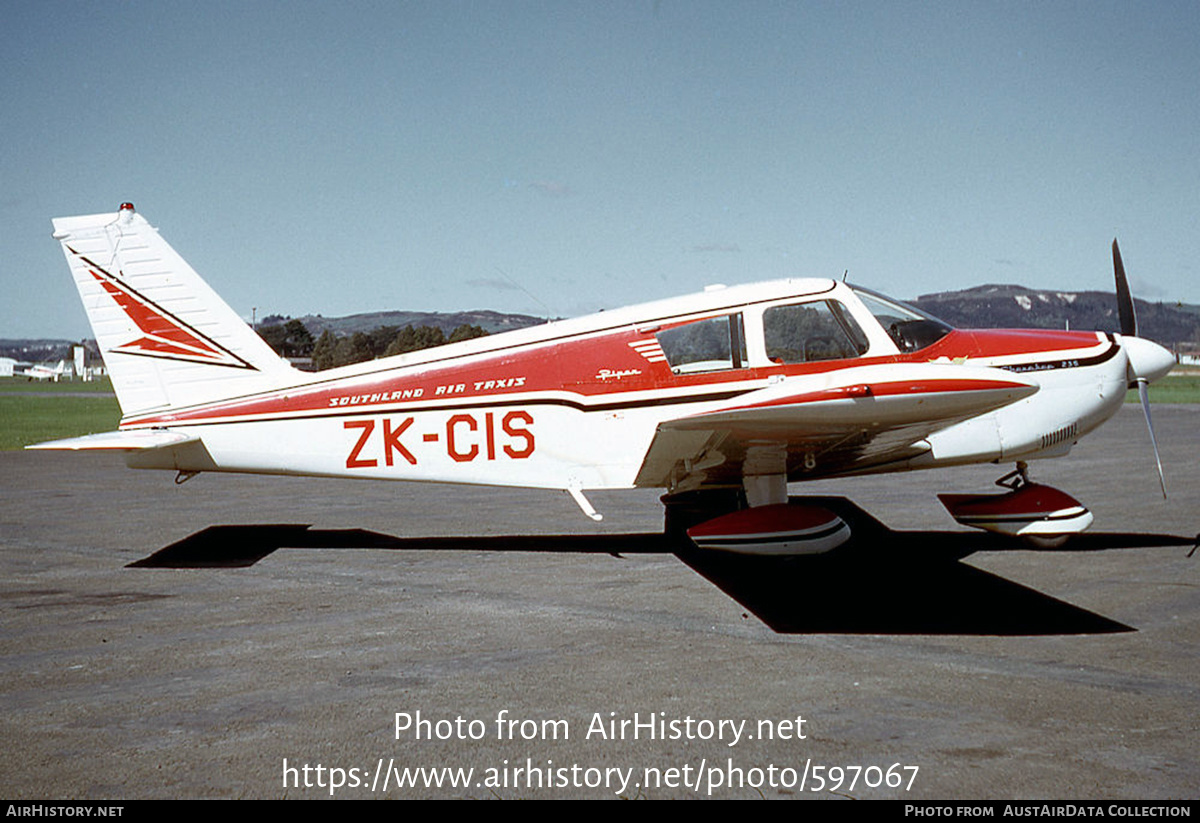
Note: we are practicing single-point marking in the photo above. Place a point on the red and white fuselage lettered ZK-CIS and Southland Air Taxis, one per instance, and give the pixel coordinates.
(577, 404)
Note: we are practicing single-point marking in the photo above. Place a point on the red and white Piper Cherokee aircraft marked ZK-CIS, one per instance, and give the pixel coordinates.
(721, 399)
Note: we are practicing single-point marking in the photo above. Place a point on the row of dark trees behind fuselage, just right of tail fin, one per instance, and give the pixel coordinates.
(292, 339)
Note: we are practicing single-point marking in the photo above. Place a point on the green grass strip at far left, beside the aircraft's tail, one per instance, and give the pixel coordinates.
(26, 420)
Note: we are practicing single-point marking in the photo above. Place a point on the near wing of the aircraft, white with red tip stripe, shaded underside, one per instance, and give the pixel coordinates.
(831, 424)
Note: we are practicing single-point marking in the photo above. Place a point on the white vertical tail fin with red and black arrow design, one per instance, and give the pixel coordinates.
(167, 339)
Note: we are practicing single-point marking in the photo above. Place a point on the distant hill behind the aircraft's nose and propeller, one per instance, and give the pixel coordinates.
(1018, 308)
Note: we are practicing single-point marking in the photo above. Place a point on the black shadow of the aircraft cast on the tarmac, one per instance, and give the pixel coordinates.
(881, 582)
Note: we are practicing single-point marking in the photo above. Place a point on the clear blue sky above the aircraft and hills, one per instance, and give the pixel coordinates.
(340, 158)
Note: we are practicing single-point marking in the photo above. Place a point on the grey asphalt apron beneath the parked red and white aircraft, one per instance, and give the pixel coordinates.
(297, 633)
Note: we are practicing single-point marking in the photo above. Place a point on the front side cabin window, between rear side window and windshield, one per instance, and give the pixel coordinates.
(806, 333)
